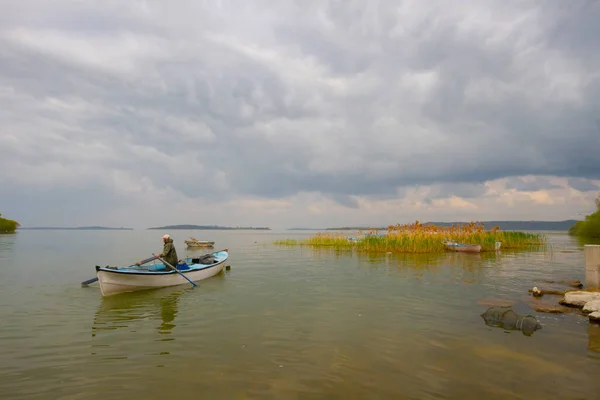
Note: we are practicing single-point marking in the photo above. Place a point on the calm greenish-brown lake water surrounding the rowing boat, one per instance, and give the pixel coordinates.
(284, 323)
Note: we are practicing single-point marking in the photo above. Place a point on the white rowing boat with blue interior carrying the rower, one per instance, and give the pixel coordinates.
(129, 279)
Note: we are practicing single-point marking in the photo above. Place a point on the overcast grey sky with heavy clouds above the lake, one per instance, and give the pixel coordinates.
(298, 113)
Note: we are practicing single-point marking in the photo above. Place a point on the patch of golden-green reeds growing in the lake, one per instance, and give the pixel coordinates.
(420, 238)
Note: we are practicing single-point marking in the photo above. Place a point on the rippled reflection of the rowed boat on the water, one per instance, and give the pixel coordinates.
(122, 311)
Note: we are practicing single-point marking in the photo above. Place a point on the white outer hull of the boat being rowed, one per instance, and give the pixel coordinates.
(115, 281)
